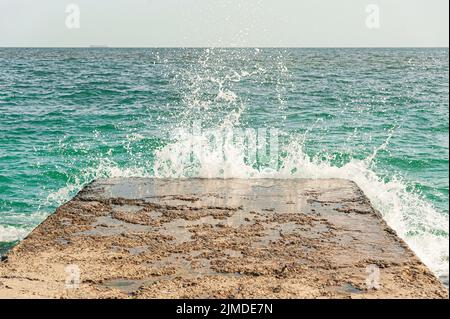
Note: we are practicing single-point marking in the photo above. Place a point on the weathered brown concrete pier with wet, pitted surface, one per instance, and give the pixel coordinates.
(150, 238)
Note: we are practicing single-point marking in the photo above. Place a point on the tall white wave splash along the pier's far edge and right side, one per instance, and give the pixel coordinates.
(219, 152)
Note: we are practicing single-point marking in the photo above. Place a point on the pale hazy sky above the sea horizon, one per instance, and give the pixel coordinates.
(188, 23)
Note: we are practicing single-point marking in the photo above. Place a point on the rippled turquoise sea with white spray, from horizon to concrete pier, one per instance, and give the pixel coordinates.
(376, 116)
